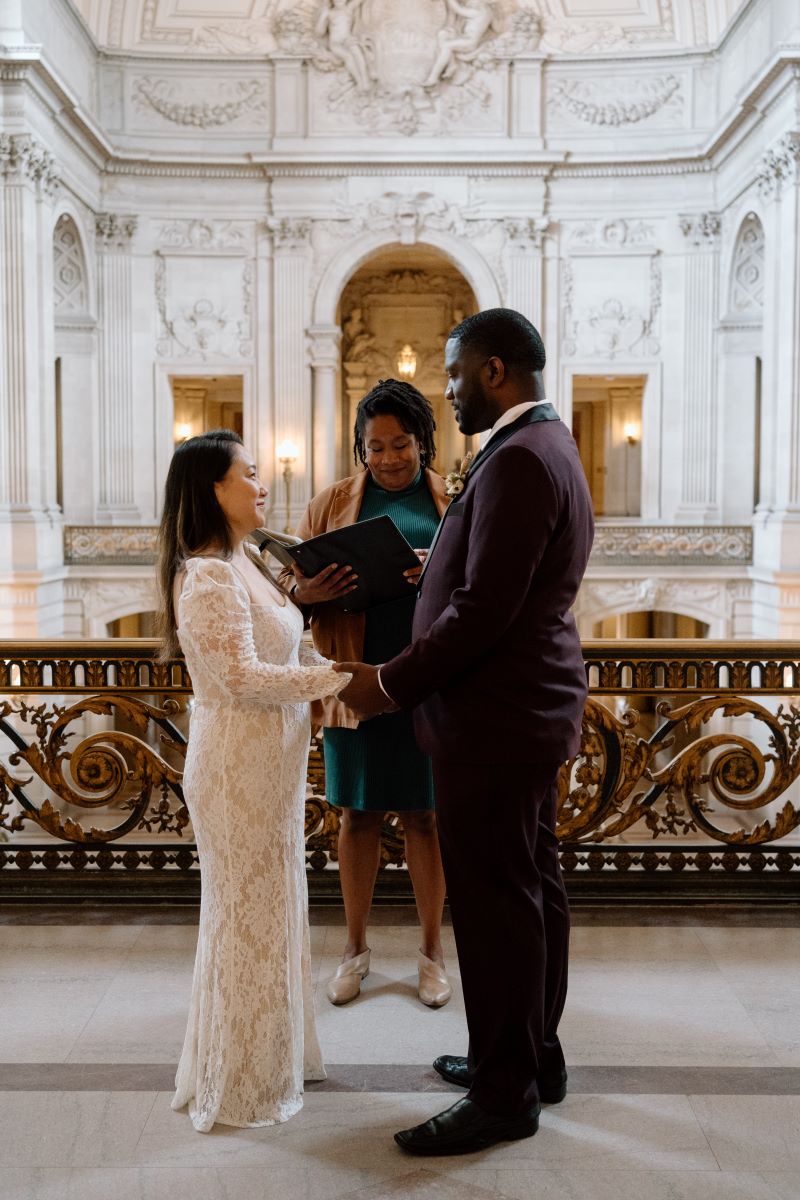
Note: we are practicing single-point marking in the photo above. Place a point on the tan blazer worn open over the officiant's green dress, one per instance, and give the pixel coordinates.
(340, 635)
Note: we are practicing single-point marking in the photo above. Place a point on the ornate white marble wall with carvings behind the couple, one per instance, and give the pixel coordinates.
(201, 209)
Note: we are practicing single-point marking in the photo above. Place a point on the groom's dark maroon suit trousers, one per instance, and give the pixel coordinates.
(512, 921)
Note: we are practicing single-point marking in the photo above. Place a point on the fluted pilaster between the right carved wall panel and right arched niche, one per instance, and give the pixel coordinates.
(700, 491)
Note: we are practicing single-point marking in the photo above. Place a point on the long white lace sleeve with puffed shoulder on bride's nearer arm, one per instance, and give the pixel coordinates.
(214, 611)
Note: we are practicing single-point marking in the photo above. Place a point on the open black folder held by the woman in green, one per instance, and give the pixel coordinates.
(376, 550)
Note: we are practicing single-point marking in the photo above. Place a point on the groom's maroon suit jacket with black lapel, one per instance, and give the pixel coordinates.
(496, 670)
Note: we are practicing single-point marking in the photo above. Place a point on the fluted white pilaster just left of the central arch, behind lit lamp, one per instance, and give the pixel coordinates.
(292, 412)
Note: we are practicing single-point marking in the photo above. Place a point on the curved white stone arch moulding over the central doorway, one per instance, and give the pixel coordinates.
(356, 254)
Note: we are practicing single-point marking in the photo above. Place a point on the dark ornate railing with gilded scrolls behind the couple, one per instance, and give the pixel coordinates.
(688, 776)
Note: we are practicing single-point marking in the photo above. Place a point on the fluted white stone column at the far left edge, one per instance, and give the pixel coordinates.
(31, 536)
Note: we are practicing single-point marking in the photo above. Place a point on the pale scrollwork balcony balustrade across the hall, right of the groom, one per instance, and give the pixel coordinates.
(672, 545)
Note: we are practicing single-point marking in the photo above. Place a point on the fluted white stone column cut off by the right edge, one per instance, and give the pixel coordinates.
(777, 550)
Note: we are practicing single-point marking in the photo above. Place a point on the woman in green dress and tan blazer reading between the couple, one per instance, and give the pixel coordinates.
(377, 767)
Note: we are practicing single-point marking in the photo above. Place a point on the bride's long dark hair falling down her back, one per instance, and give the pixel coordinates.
(193, 520)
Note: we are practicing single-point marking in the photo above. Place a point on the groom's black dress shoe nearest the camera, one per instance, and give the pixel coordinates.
(465, 1129)
